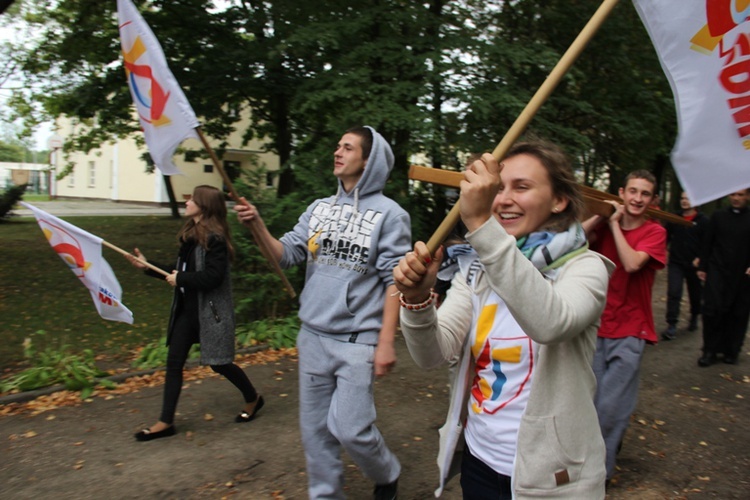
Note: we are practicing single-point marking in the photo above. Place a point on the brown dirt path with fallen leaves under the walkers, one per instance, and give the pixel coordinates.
(689, 436)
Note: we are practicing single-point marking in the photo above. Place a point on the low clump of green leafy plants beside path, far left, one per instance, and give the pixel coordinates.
(50, 366)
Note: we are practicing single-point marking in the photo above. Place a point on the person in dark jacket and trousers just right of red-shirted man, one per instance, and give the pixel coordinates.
(684, 246)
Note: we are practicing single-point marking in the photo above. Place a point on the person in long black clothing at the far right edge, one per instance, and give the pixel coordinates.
(725, 267)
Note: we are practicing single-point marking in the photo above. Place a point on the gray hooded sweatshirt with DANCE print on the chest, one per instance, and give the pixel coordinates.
(351, 242)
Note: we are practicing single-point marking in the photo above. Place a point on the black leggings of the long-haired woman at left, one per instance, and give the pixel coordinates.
(184, 335)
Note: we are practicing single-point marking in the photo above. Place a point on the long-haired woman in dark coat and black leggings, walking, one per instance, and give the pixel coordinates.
(202, 309)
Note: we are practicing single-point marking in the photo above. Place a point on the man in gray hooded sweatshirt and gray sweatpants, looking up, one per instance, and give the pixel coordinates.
(351, 242)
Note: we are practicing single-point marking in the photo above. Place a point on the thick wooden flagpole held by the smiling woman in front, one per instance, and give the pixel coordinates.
(530, 110)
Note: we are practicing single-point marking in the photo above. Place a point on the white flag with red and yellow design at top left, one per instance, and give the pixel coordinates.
(163, 110)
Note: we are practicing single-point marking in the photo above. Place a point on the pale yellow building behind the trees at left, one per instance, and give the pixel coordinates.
(115, 171)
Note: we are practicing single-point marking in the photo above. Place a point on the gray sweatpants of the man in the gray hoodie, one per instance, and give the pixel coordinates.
(337, 409)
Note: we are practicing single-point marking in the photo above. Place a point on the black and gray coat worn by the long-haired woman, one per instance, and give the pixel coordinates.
(205, 273)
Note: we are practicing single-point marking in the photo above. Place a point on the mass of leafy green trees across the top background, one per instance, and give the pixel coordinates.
(440, 78)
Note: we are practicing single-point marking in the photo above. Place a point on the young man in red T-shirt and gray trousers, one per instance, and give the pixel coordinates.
(637, 246)
